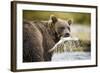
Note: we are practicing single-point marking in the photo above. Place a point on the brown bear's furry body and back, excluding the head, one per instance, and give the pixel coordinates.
(38, 39)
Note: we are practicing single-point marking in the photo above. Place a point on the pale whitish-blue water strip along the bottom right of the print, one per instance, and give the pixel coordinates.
(67, 56)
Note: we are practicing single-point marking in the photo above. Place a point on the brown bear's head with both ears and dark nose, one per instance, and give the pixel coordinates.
(60, 27)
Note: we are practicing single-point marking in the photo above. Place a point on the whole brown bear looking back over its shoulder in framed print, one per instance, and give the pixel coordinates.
(40, 36)
